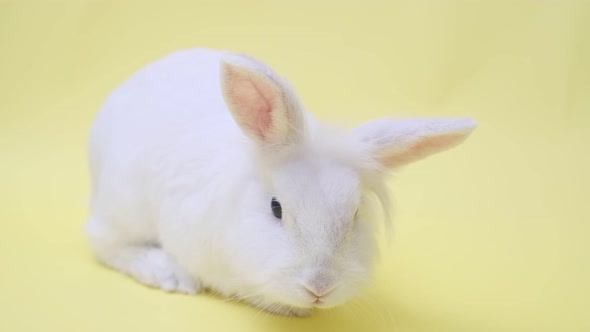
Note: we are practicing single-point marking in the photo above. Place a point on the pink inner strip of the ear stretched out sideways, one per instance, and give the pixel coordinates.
(421, 148)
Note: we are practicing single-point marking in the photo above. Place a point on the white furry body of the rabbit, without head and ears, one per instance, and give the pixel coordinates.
(168, 135)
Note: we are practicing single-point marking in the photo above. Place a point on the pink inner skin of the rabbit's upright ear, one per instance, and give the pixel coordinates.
(253, 102)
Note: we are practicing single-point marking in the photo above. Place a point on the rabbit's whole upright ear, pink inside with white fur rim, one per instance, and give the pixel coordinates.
(265, 110)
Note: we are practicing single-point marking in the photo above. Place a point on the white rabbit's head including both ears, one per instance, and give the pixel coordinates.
(319, 182)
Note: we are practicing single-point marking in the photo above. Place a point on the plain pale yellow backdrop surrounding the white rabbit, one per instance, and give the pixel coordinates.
(491, 236)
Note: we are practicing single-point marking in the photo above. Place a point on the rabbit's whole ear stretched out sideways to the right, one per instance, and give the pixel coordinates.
(395, 143)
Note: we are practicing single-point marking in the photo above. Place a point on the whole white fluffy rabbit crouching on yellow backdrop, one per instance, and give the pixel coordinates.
(208, 173)
